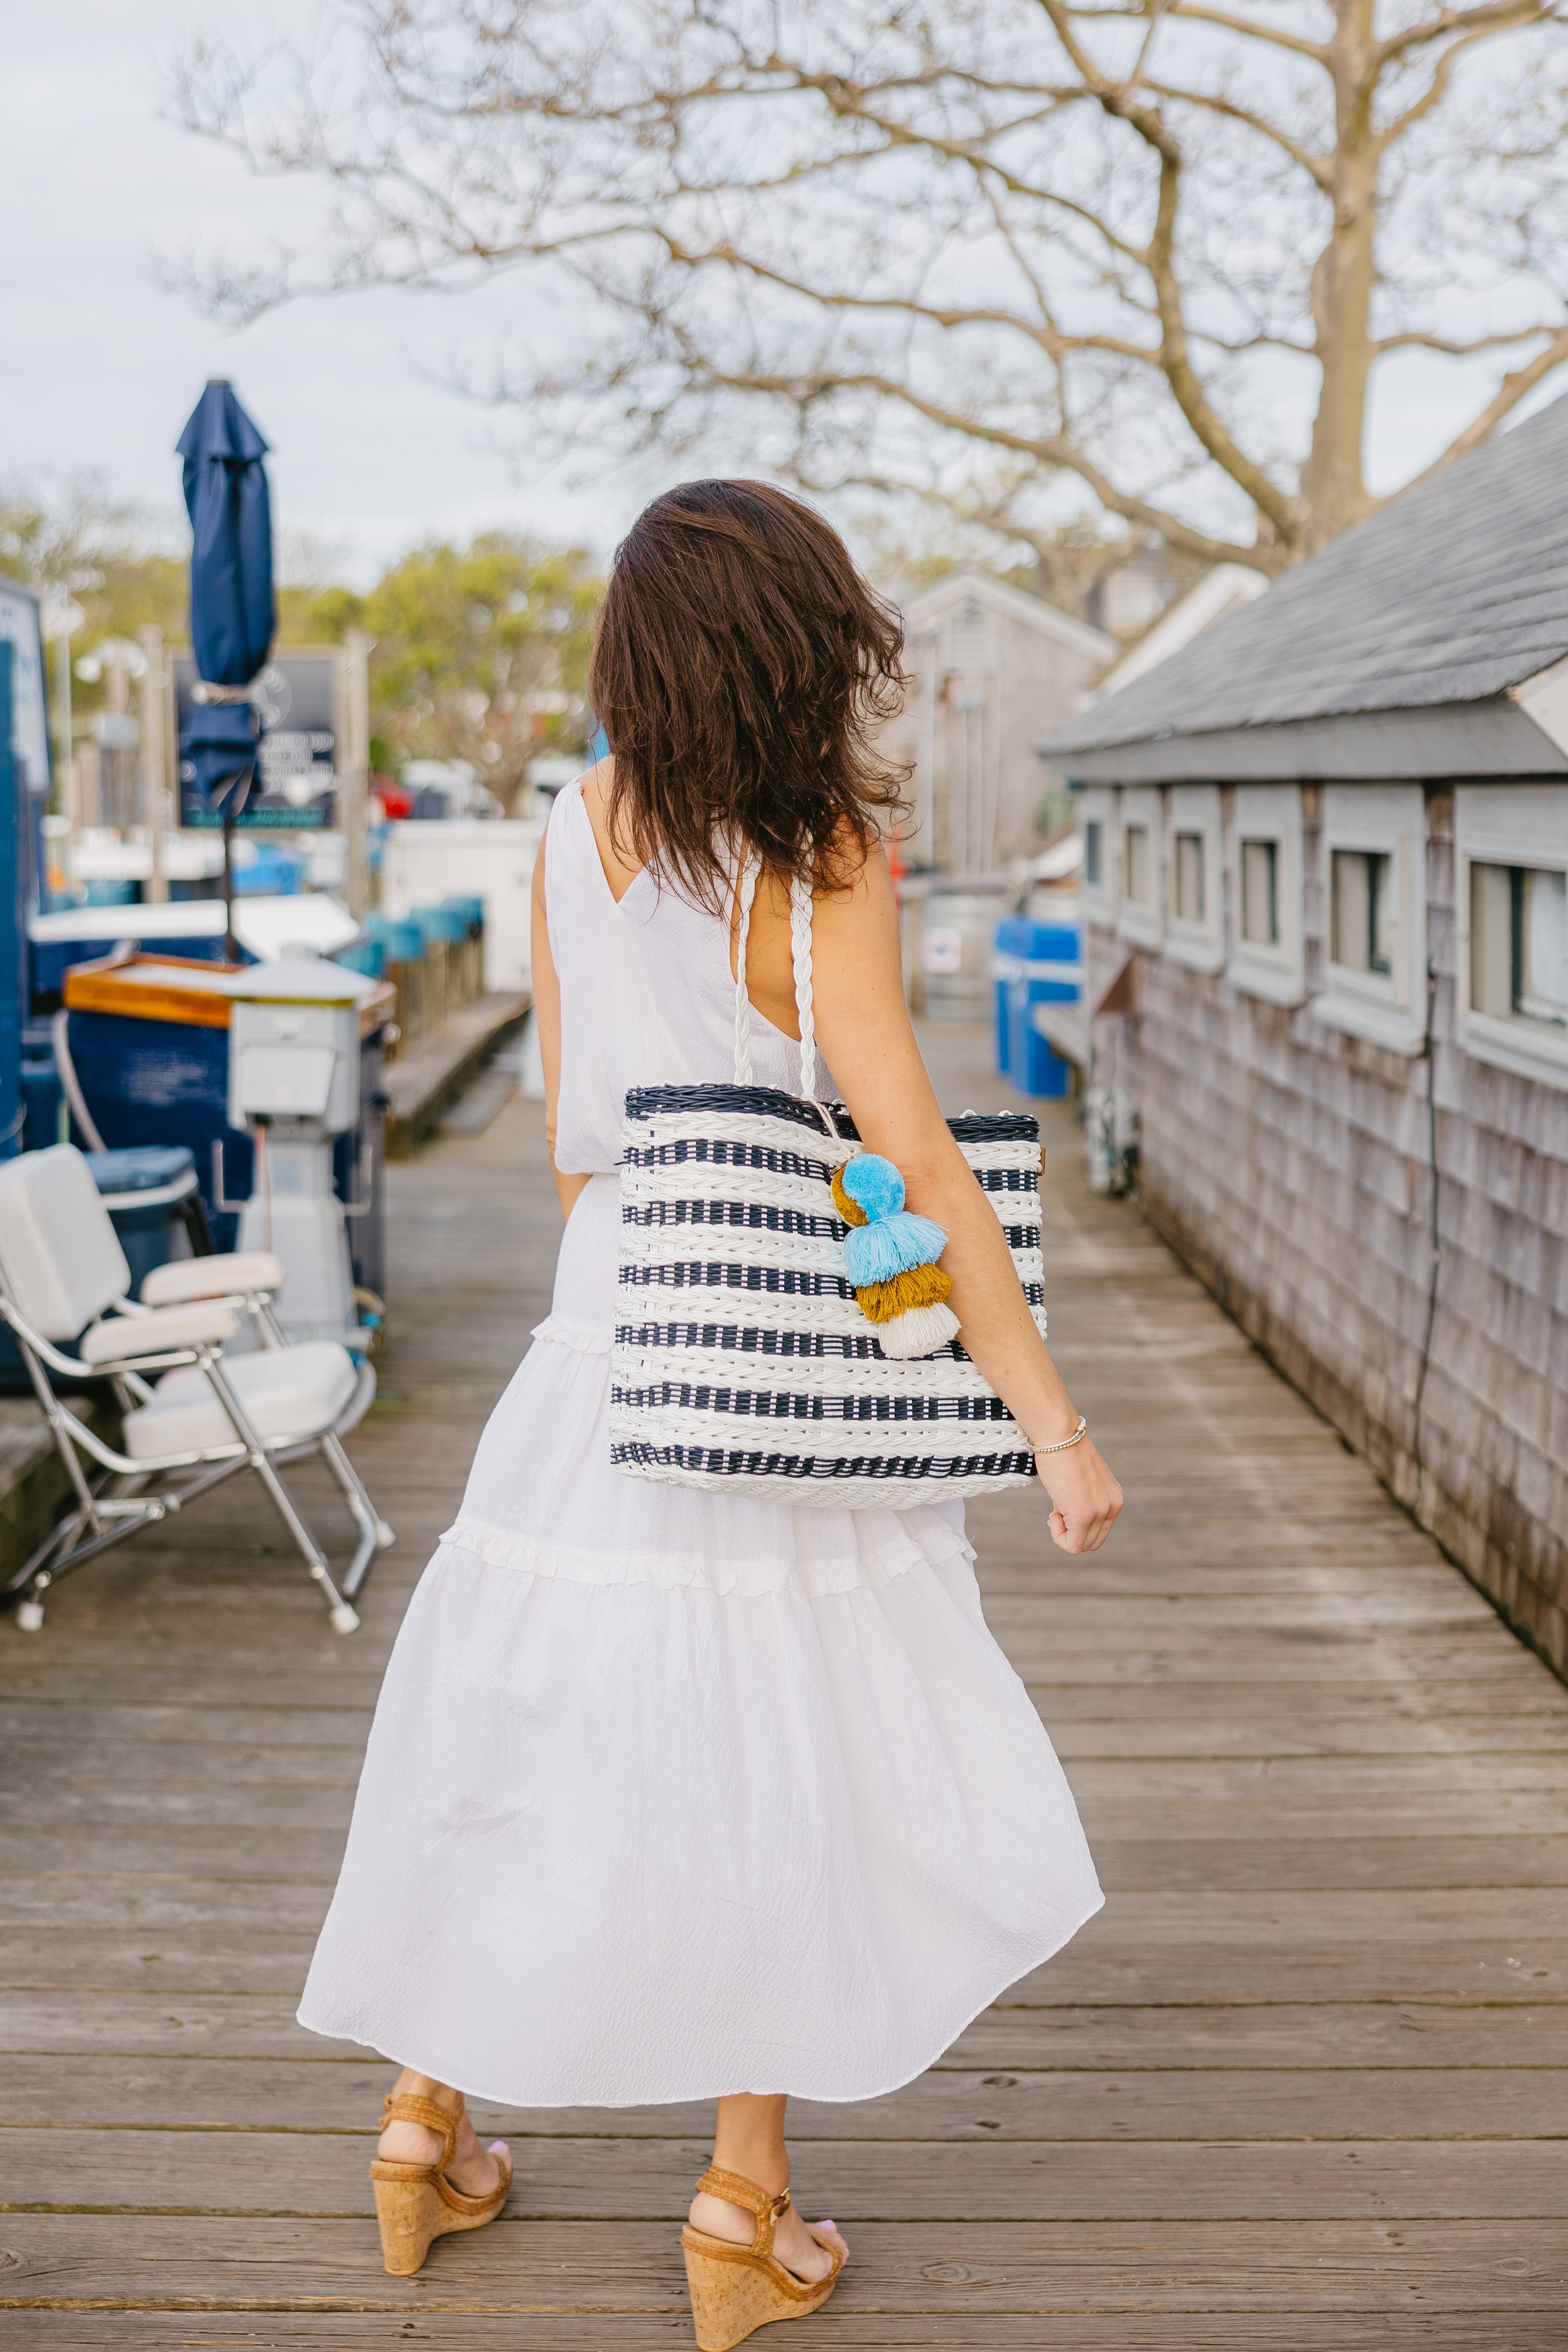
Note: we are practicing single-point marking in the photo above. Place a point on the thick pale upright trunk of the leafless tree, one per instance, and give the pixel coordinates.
(1334, 483)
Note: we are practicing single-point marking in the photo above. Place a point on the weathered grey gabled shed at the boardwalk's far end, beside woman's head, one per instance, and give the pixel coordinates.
(993, 669)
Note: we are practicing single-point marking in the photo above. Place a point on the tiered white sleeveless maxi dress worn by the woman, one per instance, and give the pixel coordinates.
(681, 1793)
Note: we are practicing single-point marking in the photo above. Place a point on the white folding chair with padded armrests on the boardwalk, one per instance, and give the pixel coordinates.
(65, 1278)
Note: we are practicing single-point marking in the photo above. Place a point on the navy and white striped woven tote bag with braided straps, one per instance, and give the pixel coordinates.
(744, 1361)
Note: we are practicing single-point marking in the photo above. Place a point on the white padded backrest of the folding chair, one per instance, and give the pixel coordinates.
(60, 1255)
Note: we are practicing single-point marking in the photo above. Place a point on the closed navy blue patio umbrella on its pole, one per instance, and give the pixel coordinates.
(232, 603)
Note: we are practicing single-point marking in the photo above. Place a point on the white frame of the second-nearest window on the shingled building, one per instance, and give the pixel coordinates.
(1381, 820)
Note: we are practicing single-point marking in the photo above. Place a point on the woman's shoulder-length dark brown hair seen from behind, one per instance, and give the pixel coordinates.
(739, 671)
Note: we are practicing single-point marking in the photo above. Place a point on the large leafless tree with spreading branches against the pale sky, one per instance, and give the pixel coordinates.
(1153, 246)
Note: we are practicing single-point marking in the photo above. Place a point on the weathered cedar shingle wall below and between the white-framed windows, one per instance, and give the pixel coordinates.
(1292, 1170)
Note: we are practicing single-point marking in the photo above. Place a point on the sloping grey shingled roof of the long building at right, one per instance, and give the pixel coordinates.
(1447, 599)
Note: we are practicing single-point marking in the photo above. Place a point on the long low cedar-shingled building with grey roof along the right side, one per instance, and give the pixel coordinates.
(1327, 888)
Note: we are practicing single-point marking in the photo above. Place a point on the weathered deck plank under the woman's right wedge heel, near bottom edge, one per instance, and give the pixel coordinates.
(944, 2271)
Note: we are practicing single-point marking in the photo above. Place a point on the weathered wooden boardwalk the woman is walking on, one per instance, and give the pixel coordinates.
(1299, 2090)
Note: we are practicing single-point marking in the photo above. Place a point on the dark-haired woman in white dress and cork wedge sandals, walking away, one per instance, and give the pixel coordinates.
(688, 1796)
